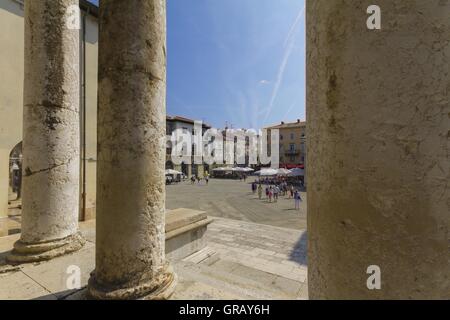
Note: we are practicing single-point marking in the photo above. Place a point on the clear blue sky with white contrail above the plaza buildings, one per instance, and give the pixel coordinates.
(240, 62)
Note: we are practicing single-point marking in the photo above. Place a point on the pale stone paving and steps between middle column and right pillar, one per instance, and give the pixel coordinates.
(251, 261)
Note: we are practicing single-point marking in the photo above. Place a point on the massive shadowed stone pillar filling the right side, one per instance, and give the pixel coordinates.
(378, 135)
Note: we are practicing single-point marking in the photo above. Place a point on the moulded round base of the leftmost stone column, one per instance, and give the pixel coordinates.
(36, 252)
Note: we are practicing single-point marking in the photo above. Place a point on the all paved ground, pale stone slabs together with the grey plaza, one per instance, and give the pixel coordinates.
(255, 249)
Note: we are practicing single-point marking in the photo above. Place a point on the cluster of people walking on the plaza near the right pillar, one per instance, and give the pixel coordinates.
(273, 192)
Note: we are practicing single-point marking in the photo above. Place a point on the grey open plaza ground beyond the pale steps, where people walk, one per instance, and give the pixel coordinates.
(234, 200)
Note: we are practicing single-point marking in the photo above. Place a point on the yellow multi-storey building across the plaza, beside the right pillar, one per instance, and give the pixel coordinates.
(292, 143)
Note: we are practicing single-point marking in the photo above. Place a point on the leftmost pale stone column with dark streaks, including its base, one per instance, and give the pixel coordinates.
(51, 142)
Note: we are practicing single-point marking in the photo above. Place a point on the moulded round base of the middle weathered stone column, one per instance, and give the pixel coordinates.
(146, 291)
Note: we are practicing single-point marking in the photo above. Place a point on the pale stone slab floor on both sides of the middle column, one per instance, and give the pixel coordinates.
(242, 261)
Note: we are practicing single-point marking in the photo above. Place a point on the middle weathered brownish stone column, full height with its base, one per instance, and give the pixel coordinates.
(130, 244)
